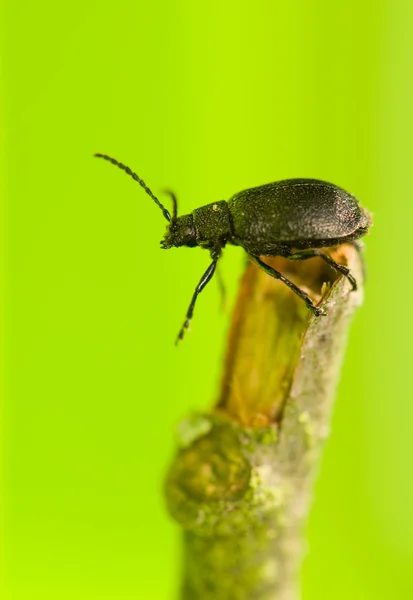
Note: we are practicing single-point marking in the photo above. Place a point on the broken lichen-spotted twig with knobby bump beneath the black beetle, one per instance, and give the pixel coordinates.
(241, 483)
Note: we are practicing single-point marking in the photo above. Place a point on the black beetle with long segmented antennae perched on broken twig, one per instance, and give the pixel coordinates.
(293, 218)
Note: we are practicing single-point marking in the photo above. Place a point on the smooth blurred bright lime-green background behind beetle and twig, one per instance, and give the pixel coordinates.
(206, 98)
